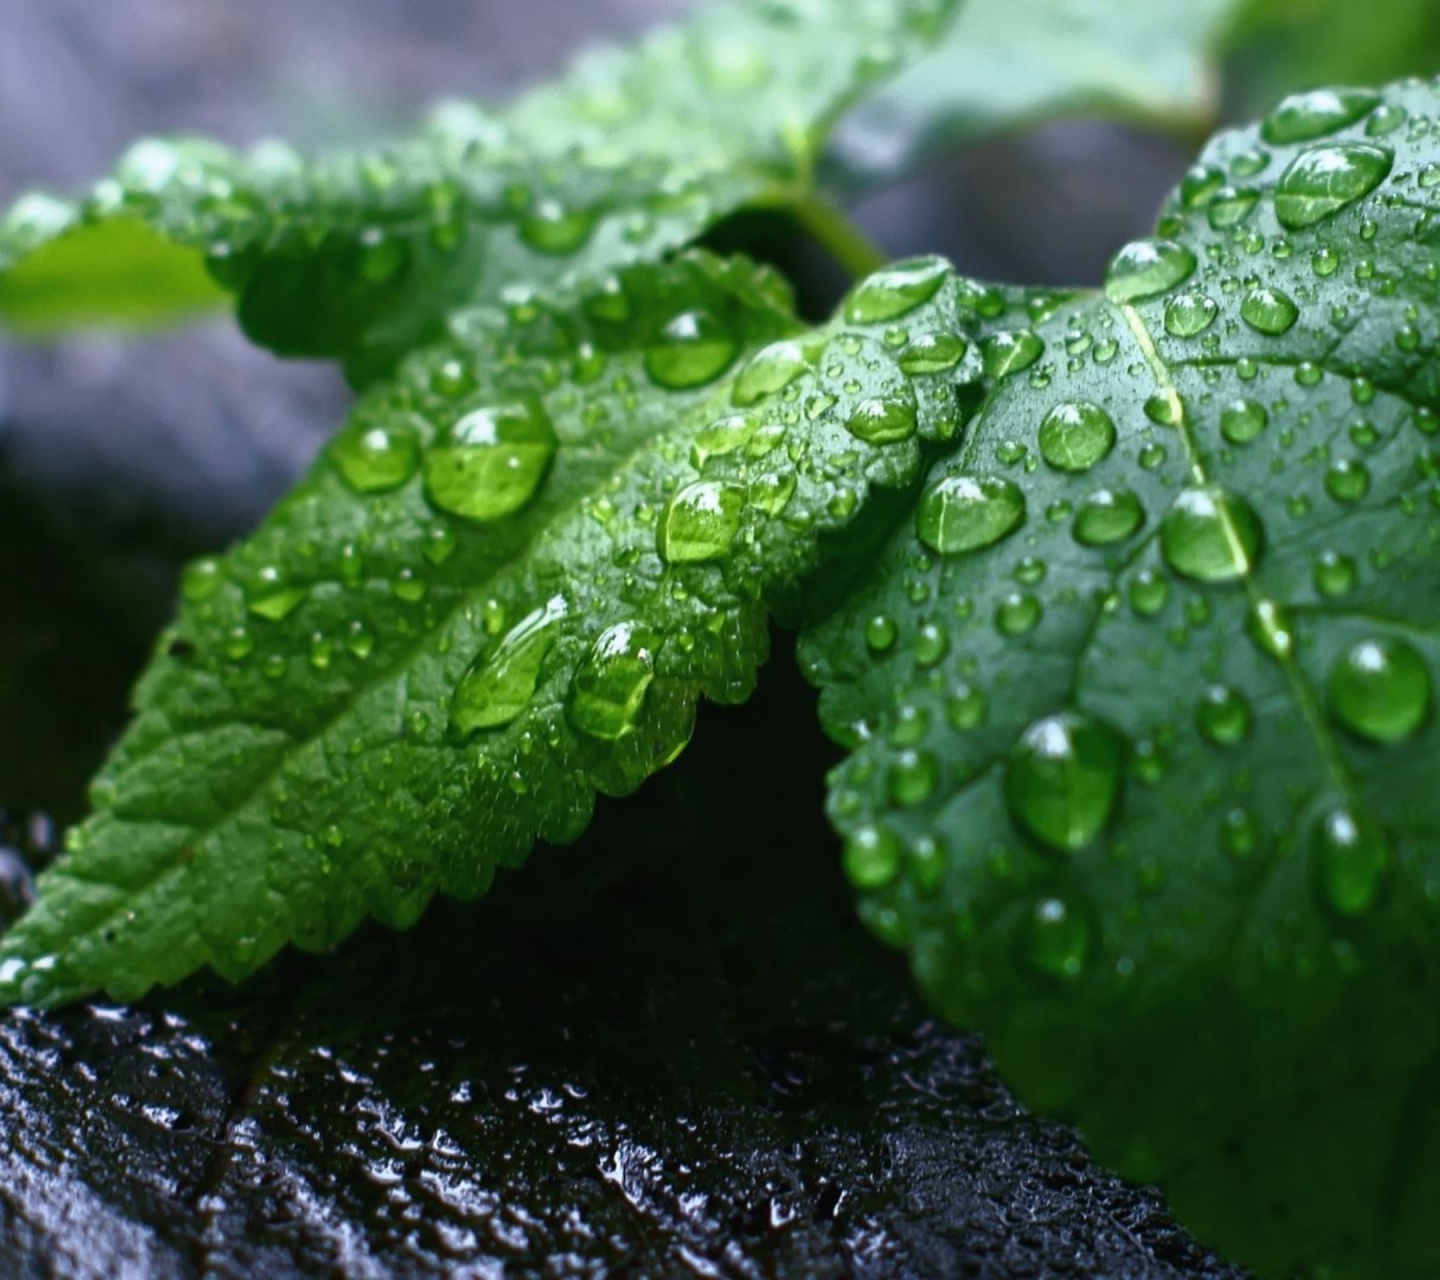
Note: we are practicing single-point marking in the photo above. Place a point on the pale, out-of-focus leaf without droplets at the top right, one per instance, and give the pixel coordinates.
(1010, 64)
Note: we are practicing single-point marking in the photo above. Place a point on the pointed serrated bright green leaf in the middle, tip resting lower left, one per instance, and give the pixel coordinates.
(502, 590)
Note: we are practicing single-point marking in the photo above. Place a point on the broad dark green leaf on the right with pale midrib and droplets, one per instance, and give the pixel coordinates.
(1141, 702)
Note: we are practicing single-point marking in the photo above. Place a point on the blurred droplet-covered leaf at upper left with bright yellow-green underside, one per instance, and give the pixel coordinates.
(362, 254)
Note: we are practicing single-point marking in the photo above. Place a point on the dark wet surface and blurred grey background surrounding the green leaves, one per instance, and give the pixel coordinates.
(667, 1052)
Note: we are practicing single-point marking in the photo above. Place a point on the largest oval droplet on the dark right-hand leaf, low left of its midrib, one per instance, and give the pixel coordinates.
(1063, 780)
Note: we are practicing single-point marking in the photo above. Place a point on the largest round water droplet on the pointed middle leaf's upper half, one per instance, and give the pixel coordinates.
(492, 461)
